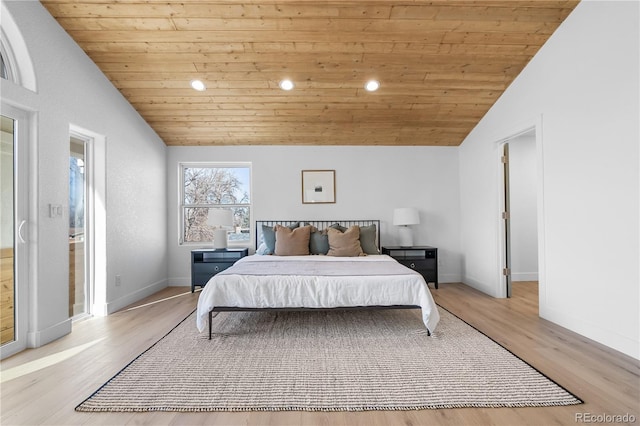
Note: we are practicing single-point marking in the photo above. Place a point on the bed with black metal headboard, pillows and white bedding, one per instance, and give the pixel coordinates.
(282, 276)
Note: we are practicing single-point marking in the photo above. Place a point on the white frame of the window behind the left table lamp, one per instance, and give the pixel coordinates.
(182, 206)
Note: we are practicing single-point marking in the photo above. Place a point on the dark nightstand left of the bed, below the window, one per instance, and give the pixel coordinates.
(205, 263)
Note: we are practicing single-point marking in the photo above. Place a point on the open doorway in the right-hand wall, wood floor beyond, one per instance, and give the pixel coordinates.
(520, 214)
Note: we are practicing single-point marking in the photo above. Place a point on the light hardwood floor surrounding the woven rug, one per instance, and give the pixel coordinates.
(42, 386)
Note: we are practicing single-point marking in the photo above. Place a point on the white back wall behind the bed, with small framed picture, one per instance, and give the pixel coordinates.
(370, 183)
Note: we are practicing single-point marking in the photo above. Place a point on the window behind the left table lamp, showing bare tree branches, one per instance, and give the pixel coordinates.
(208, 186)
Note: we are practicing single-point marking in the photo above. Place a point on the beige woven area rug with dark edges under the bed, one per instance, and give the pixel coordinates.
(325, 361)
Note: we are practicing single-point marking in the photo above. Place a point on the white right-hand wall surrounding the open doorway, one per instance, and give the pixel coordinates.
(582, 90)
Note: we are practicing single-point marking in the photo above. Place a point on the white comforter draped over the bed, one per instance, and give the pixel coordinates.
(316, 291)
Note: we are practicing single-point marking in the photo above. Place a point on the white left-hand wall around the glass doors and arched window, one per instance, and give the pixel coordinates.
(71, 91)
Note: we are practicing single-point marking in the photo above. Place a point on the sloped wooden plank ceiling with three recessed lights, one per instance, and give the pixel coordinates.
(441, 65)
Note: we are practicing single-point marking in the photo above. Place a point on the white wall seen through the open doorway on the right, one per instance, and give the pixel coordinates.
(523, 208)
